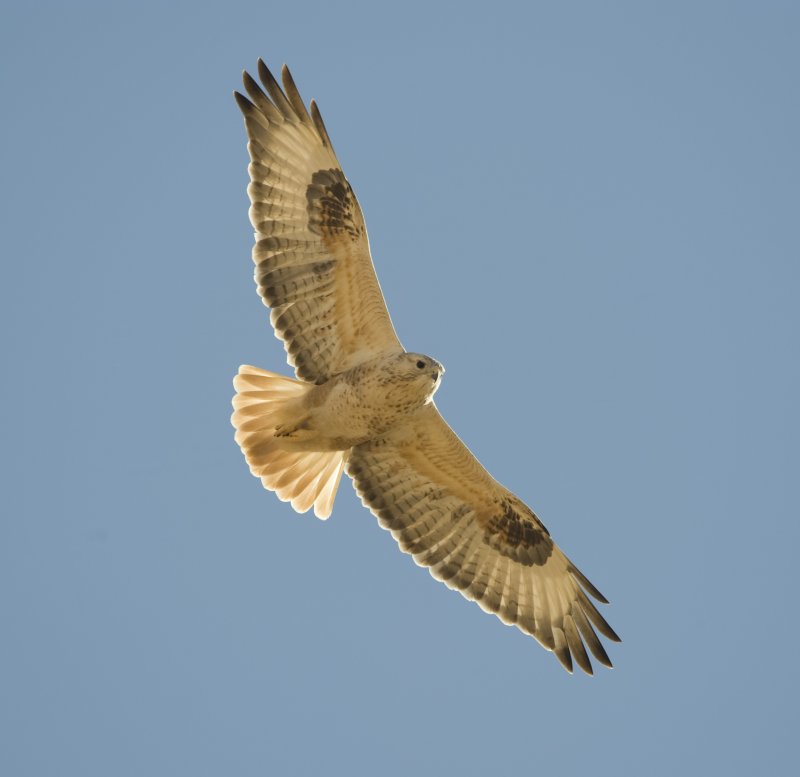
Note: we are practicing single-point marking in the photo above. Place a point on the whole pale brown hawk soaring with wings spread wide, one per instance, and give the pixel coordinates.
(362, 404)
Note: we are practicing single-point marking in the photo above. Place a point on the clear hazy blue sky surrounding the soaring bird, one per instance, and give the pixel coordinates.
(587, 211)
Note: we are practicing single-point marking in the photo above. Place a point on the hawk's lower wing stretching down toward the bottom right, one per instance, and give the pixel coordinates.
(444, 508)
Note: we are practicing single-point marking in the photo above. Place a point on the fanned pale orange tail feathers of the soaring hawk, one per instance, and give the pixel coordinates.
(265, 401)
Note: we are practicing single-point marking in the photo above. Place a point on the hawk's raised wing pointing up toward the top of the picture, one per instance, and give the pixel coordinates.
(313, 266)
